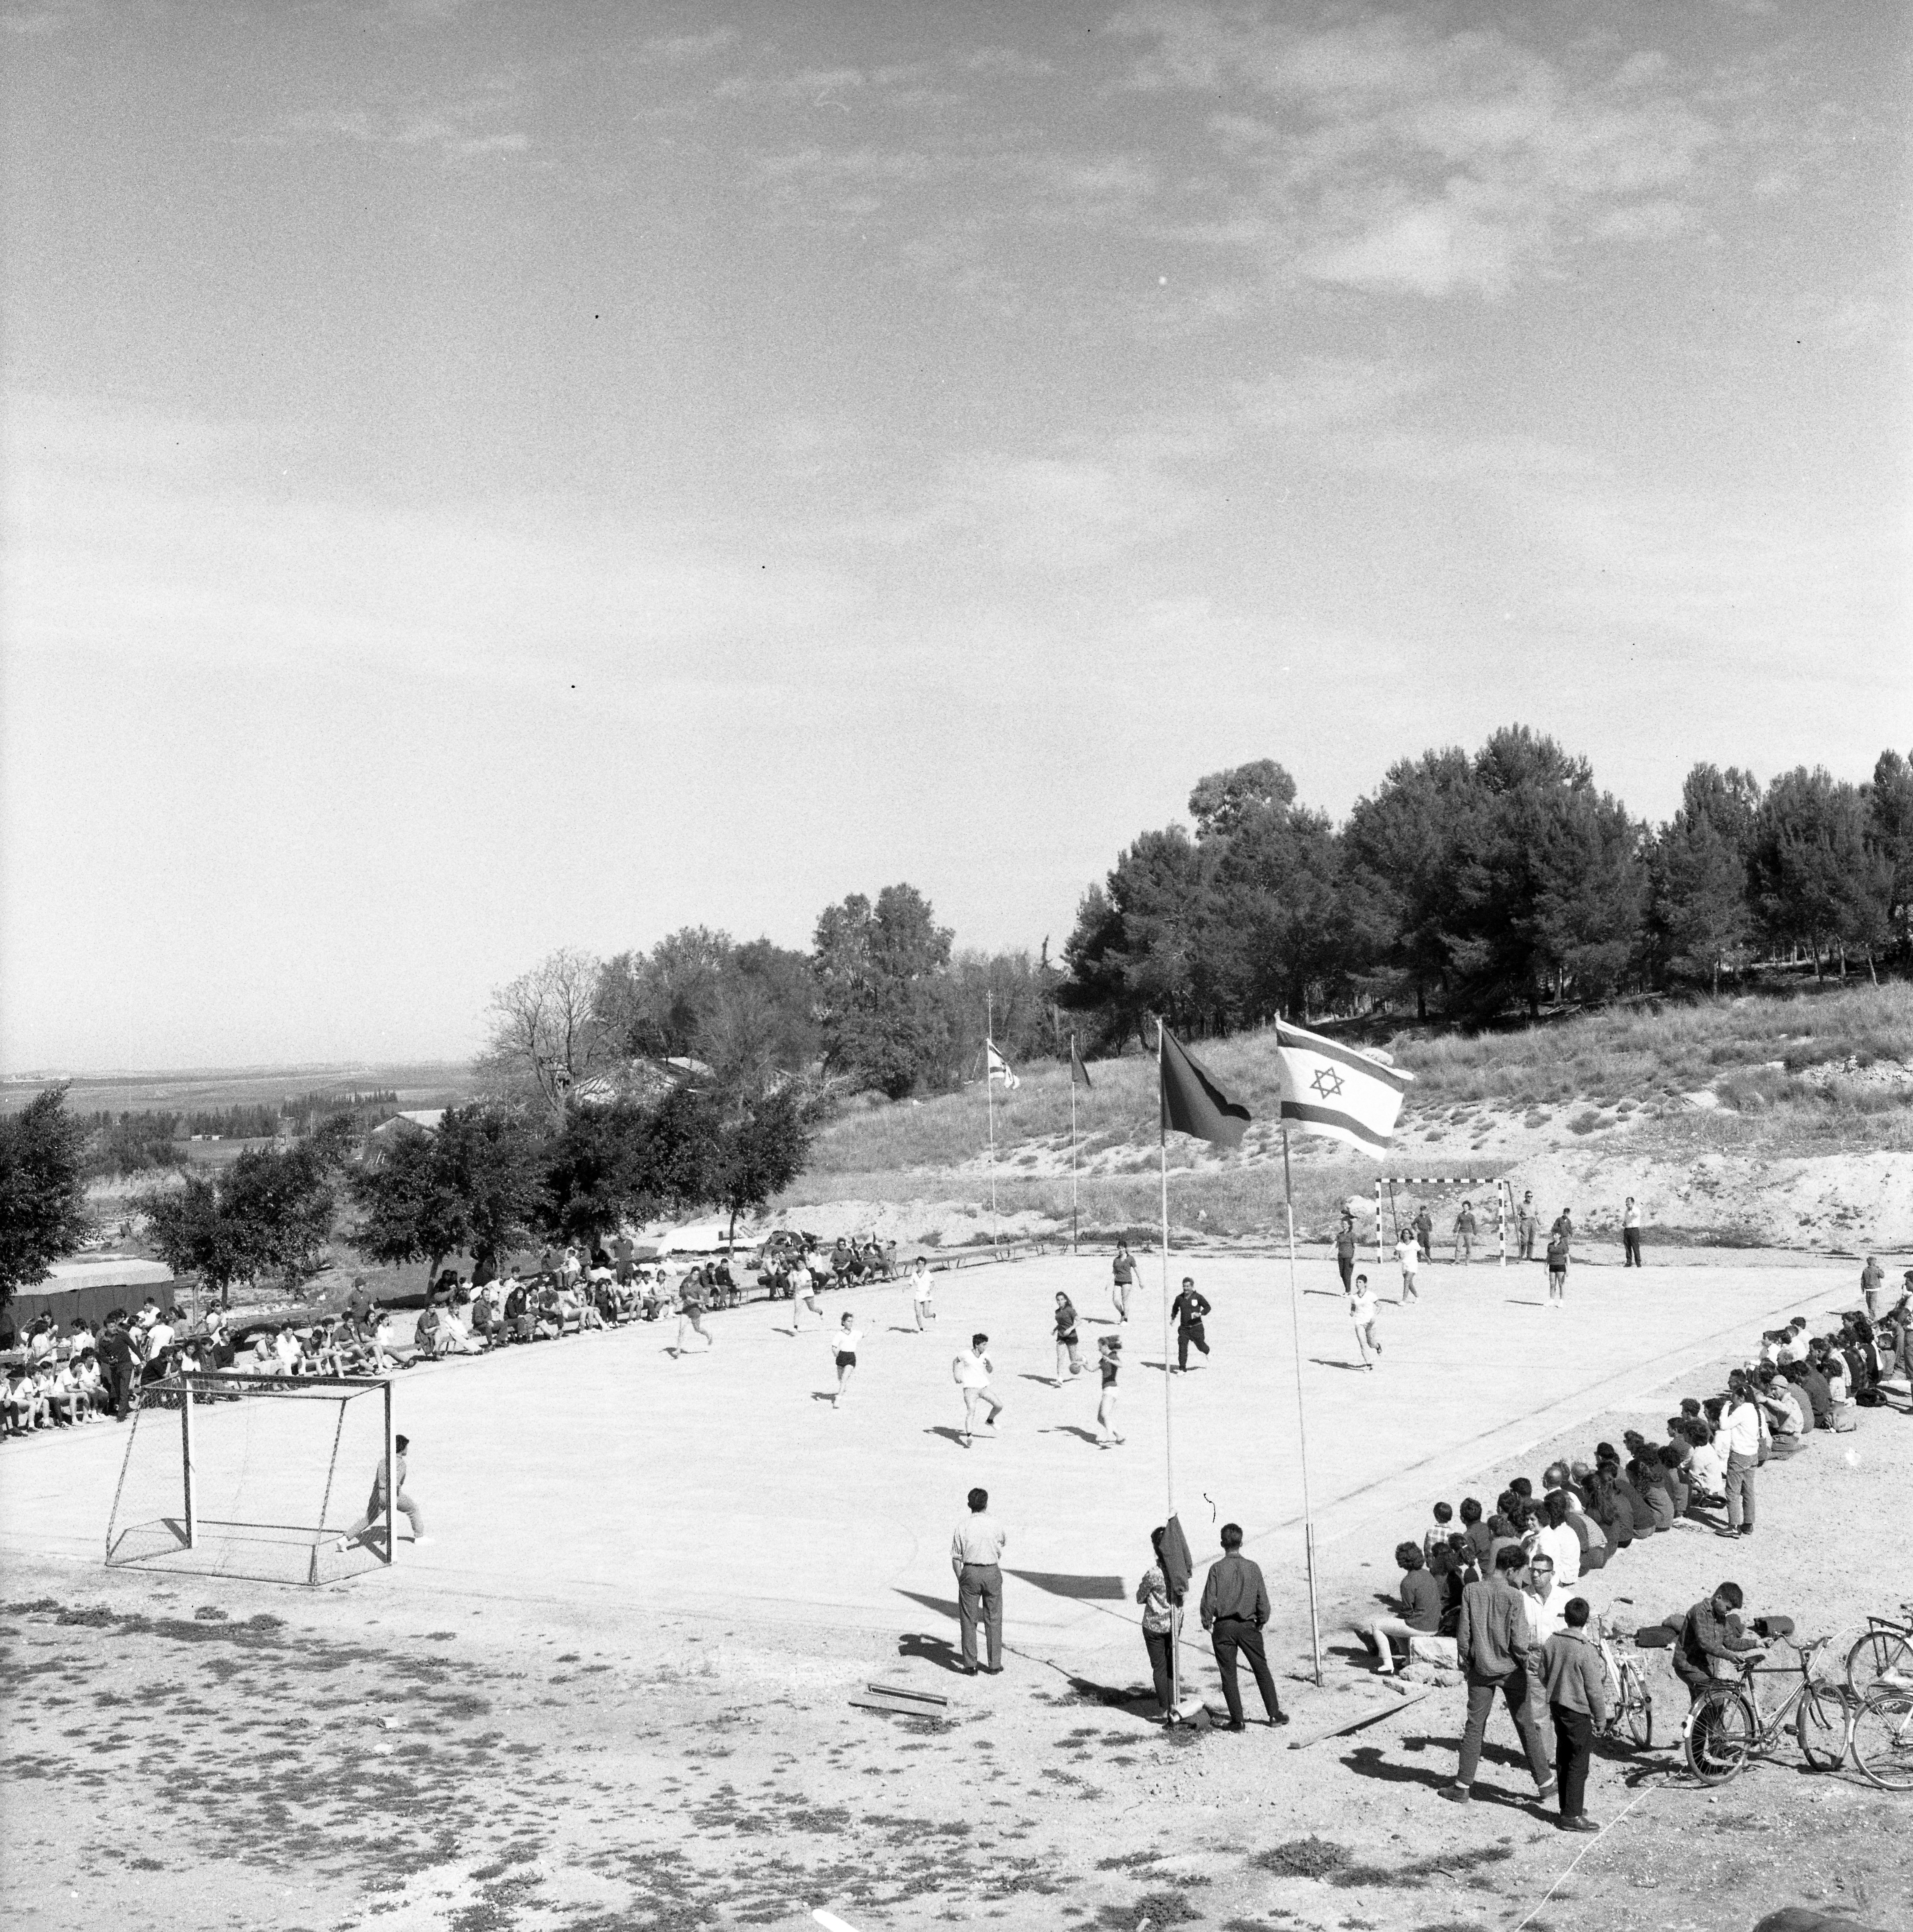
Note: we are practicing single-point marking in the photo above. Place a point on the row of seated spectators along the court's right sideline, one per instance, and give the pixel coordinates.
(1699, 1479)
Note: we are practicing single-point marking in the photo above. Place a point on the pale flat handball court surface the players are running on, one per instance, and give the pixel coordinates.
(598, 1479)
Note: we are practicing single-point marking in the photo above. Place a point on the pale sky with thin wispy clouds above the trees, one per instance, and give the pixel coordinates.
(484, 478)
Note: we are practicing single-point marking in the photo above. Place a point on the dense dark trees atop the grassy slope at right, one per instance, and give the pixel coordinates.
(1473, 886)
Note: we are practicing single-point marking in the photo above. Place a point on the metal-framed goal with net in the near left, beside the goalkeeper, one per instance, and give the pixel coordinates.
(254, 1477)
